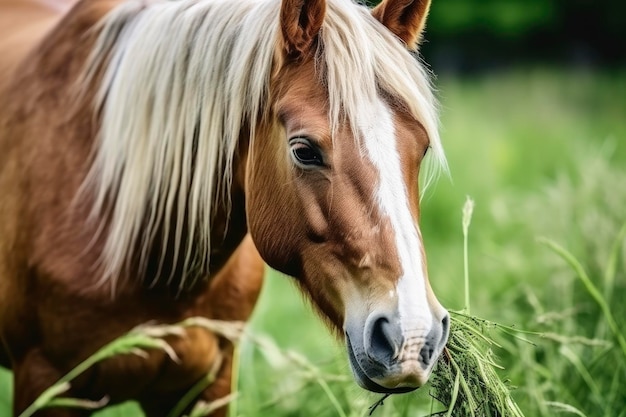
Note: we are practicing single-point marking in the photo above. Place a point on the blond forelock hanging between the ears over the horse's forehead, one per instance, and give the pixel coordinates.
(360, 60)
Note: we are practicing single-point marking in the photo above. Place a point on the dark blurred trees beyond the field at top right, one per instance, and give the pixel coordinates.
(477, 35)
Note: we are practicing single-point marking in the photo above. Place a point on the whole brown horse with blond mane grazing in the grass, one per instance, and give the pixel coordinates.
(156, 155)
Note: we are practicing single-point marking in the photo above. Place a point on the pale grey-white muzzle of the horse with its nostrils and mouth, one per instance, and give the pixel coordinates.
(387, 356)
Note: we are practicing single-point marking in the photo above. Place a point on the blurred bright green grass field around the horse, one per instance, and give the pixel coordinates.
(543, 155)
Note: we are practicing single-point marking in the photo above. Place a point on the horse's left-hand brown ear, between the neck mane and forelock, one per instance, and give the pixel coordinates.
(300, 22)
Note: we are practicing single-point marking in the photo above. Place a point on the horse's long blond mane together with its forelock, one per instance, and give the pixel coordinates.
(180, 80)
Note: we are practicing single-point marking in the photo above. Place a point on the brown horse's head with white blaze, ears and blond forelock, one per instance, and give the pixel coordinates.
(332, 187)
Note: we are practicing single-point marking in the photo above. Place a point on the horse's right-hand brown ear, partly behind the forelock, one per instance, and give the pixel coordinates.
(405, 18)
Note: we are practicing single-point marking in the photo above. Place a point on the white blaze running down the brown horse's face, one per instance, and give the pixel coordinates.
(378, 132)
